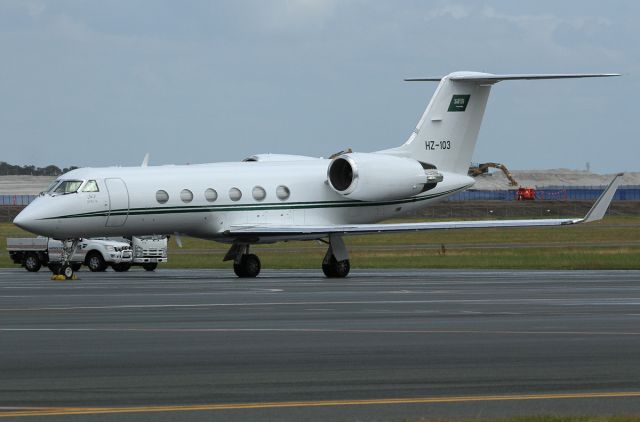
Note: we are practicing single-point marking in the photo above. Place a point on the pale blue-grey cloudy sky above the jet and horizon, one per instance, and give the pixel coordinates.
(101, 83)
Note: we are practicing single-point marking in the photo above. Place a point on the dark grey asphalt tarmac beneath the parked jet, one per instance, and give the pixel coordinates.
(292, 345)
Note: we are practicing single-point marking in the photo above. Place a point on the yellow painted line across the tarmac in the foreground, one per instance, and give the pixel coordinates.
(57, 411)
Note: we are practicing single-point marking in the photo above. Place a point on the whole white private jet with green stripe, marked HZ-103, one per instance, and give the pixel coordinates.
(269, 198)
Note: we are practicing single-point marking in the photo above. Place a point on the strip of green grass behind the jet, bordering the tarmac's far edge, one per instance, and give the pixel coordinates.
(613, 243)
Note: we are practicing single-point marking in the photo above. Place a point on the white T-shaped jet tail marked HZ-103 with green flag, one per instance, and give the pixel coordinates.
(446, 134)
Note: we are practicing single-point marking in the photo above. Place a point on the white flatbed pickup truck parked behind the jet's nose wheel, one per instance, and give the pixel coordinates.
(32, 253)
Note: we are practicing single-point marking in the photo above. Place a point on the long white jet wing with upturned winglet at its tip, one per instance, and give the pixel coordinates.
(596, 212)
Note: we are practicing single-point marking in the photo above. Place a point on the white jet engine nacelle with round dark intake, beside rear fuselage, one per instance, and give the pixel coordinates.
(376, 177)
